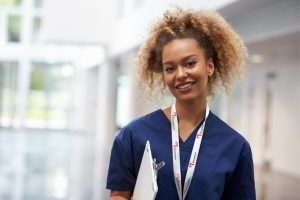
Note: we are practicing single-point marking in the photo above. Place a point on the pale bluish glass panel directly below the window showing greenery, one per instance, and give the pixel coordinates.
(46, 165)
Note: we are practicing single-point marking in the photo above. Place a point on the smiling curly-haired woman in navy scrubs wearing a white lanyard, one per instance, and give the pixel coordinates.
(191, 53)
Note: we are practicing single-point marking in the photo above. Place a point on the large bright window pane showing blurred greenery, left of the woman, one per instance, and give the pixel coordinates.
(49, 102)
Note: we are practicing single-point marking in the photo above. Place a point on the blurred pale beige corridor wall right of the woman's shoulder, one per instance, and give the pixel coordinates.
(284, 151)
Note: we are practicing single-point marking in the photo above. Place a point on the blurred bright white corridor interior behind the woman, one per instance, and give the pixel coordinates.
(67, 85)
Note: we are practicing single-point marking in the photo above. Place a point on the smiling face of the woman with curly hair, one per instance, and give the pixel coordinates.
(185, 69)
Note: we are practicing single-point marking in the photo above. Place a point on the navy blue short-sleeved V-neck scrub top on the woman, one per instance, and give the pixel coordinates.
(224, 168)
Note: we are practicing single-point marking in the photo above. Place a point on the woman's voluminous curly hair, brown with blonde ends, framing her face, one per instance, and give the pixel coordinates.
(211, 32)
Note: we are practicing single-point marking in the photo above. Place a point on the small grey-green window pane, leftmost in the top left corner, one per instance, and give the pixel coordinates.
(14, 29)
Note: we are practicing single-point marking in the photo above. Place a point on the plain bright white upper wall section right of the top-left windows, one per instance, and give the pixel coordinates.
(79, 22)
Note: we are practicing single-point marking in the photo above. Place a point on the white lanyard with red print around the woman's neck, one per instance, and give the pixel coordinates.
(176, 156)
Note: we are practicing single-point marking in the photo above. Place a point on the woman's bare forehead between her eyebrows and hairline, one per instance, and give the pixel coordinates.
(181, 48)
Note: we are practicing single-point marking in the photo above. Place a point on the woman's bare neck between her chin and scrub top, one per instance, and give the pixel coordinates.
(192, 112)
